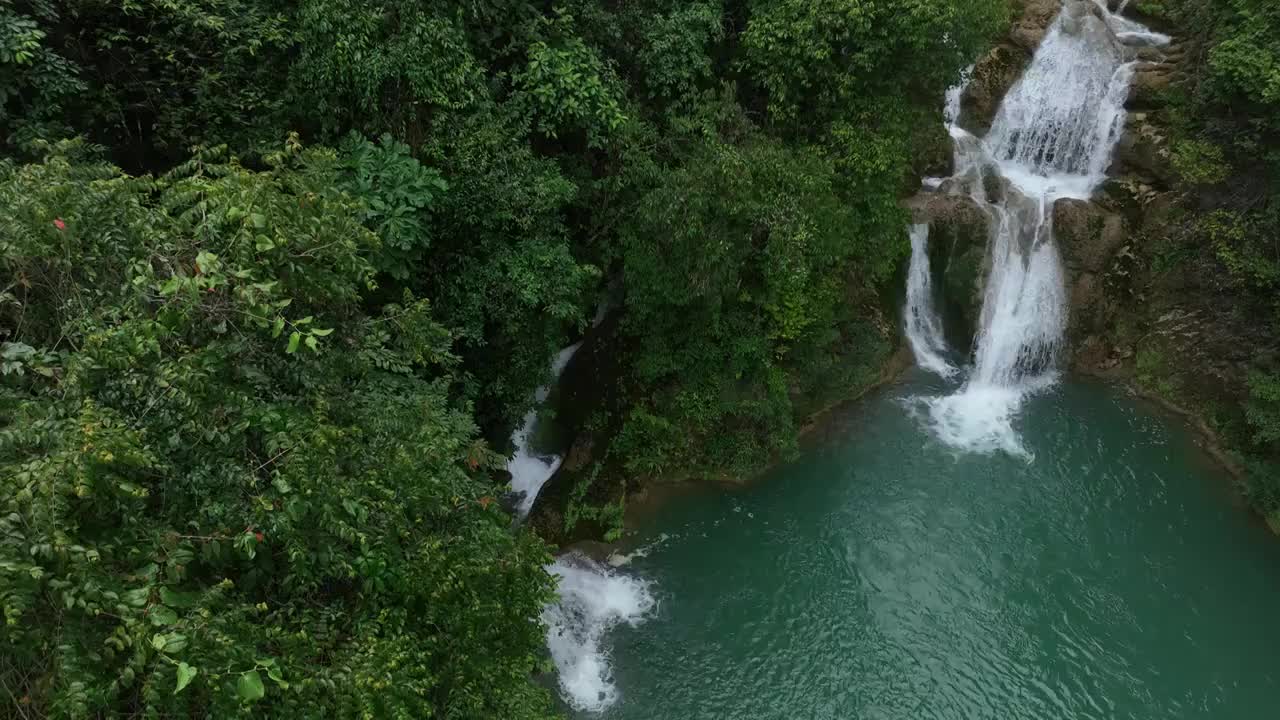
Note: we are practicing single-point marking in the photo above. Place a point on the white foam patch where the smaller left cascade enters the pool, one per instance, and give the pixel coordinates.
(593, 599)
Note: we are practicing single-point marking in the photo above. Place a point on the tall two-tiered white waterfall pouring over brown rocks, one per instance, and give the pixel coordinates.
(1053, 138)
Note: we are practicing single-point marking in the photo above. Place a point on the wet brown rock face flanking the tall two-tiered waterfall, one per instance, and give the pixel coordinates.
(1107, 241)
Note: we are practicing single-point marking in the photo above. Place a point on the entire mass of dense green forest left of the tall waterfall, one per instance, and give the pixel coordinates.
(262, 327)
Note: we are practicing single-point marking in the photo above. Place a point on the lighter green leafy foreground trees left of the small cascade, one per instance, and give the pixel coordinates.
(218, 467)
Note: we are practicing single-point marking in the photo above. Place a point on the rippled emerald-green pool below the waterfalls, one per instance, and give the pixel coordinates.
(886, 577)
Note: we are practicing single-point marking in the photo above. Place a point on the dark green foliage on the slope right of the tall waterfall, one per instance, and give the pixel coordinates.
(1223, 117)
